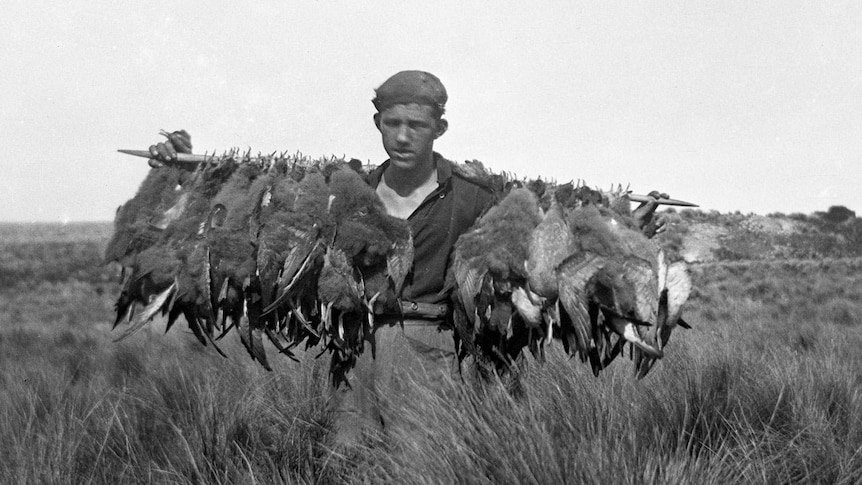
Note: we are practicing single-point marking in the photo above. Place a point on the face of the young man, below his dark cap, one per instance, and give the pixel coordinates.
(409, 131)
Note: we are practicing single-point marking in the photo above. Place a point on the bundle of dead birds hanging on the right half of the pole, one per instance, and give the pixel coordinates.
(565, 263)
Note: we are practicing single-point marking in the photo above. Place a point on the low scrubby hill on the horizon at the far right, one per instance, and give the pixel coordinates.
(698, 236)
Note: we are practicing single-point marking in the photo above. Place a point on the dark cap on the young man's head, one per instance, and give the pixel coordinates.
(408, 87)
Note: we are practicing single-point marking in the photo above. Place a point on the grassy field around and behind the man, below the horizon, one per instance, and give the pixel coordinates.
(767, 388)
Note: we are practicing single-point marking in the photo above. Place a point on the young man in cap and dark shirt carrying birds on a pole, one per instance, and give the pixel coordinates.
(419, 185)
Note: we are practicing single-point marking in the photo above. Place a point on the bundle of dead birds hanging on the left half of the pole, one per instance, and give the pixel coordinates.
(281, 248)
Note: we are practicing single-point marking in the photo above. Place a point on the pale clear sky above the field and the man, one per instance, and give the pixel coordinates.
(749, 106)
